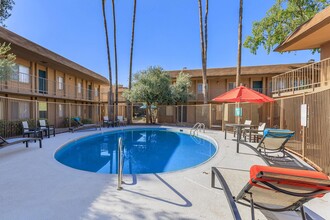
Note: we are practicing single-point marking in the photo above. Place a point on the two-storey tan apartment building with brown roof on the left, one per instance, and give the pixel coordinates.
(48, 85)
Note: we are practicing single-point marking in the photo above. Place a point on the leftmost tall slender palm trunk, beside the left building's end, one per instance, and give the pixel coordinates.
(110, 100)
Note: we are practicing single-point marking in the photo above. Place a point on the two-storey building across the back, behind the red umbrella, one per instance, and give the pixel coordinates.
(221, 80)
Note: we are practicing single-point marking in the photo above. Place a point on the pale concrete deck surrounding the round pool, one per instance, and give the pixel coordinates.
(36, 186)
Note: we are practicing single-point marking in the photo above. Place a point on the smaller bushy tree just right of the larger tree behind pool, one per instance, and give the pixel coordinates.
(180, 89)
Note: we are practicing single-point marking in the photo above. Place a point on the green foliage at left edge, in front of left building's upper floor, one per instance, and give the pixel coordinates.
(7, 62)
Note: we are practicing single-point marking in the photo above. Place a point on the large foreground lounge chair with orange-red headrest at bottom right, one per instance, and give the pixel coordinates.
(277, 189)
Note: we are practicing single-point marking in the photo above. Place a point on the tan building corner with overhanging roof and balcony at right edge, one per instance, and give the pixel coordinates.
(313, 34)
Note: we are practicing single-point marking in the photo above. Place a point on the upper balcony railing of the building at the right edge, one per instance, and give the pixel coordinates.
(302, 79)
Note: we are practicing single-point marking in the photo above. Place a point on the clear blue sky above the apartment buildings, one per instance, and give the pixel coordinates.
(166, 33)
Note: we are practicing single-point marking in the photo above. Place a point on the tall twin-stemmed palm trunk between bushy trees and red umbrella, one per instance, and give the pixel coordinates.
(203, 38)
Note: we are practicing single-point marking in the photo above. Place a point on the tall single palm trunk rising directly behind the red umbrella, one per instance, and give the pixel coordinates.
(239, 52)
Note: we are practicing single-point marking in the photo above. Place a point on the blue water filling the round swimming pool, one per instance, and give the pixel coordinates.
(145, 151)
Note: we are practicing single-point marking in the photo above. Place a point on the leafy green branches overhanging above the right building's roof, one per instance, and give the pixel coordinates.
(281, 20)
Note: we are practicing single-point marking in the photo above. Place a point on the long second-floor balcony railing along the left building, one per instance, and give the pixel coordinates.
(27, 84)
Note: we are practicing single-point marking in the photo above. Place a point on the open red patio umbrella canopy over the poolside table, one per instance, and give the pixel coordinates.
(243, 94)
